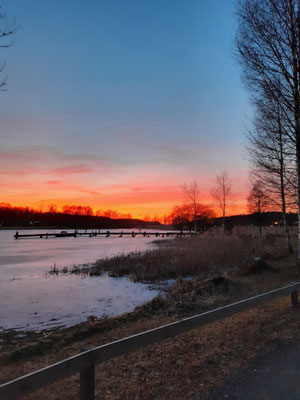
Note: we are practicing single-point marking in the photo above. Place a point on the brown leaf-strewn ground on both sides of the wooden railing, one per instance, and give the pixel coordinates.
(191, 366)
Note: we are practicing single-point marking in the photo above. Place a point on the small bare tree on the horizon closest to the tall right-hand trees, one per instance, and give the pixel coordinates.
(257, 201)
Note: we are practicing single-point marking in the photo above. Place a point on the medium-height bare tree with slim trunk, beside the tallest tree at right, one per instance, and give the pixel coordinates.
(273, 159)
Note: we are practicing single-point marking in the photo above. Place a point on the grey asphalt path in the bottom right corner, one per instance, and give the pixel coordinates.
(275, 375)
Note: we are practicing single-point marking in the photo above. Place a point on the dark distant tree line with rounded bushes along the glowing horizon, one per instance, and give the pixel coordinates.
(181, 217)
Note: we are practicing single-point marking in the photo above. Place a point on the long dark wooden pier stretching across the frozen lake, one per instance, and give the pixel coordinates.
(100, 234)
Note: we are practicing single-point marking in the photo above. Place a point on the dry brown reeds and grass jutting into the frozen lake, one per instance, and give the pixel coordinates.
(215, 267)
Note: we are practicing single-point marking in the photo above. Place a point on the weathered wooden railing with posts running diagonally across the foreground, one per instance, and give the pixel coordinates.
(84, 363)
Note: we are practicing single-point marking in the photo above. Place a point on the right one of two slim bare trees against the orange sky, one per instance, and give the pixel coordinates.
(222, 193)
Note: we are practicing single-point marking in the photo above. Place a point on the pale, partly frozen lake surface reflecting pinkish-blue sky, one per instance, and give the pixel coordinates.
(32, 300)
